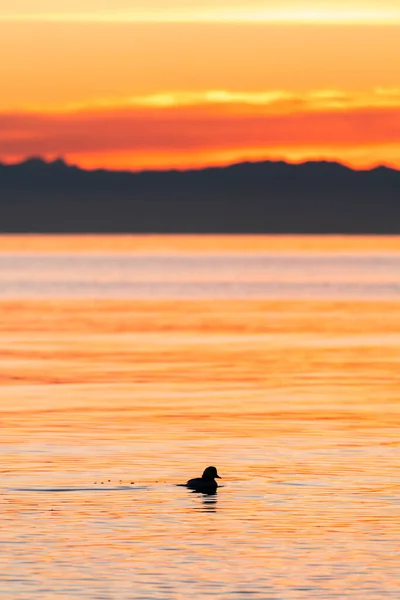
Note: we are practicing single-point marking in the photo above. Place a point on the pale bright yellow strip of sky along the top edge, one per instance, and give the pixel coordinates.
(238, 10)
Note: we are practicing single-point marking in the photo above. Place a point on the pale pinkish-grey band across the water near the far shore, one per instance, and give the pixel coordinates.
(200, 275)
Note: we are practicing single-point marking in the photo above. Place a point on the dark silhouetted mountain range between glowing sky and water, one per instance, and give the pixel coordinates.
(262, 197)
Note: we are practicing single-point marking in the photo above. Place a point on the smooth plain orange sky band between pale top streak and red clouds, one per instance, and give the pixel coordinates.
(57, 64)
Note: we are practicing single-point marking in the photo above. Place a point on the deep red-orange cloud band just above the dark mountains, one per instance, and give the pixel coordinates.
(158, 131)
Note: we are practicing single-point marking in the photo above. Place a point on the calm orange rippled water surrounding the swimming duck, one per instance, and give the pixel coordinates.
(126, 370)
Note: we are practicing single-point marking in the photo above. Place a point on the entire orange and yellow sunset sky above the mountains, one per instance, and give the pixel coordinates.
(123, 84)
